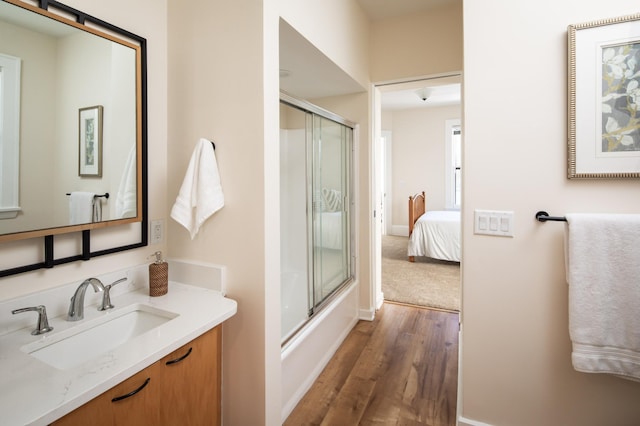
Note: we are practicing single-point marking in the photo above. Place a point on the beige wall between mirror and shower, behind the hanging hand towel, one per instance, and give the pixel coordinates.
(216, 91)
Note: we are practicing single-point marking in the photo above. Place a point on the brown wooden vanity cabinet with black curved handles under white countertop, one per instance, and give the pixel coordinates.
(182, 388)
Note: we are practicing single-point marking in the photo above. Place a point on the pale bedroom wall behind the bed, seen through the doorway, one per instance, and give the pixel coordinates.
(418, 157)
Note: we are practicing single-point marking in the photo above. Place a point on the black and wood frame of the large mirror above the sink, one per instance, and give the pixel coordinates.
(46, 236)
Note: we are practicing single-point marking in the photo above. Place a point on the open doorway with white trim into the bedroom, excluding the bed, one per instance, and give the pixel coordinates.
(413, 152)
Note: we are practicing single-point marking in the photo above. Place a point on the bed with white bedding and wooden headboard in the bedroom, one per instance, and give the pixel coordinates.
(435, 233)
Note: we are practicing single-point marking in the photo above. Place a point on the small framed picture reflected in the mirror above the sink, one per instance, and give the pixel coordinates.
(90, 141)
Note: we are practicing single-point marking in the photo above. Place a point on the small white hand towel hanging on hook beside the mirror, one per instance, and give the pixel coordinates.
(201, 193)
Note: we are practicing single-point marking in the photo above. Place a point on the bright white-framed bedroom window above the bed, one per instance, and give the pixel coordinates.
(453, 181)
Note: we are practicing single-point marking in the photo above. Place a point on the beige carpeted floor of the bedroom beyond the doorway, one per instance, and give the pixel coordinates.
(426, 282)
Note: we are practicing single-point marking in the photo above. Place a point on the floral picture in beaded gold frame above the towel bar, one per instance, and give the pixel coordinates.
(604, 98)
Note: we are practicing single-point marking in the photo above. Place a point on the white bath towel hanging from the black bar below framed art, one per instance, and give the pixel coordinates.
(603, 272)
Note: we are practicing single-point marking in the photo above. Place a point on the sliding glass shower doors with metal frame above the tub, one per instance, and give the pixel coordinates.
(315, 231)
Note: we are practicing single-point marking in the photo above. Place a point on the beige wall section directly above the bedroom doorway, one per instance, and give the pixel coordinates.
(417, 45)
